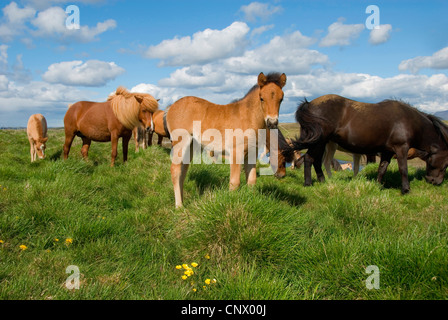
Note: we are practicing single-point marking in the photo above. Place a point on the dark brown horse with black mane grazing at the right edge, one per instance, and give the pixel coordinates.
(388, 127)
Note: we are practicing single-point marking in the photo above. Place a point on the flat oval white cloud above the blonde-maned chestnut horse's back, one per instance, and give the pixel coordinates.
(92, 73)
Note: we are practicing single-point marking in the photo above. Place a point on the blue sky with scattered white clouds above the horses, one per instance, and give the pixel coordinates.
(215, 50)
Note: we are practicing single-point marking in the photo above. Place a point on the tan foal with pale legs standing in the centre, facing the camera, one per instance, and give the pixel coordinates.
(219, 128)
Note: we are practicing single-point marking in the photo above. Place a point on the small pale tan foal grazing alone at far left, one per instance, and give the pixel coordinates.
(37, 136)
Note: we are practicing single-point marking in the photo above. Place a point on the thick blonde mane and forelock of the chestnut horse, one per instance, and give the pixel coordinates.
(126, 106)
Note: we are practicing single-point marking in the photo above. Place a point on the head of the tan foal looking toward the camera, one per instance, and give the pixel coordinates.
(271, 96)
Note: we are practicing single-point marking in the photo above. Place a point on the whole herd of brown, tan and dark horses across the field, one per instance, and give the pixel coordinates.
(388, 128)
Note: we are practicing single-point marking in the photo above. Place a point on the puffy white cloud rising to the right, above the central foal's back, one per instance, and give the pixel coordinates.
(203, 47)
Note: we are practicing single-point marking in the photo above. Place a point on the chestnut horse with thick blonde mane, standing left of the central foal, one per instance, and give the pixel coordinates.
(108, 121)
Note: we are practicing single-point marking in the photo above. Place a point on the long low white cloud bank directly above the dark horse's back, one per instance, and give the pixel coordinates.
(429, 93)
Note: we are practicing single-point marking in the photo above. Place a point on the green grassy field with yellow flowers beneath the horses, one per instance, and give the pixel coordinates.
(278, 240)
